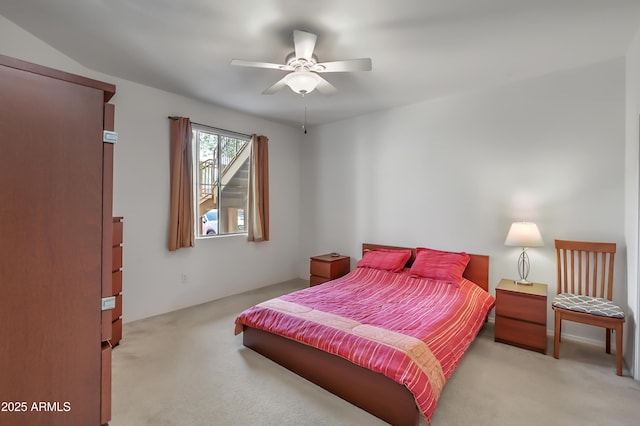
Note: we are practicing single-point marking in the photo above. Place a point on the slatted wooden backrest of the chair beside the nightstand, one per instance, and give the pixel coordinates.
(585, 268)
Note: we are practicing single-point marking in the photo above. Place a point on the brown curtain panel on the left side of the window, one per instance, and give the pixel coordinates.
(181, 214)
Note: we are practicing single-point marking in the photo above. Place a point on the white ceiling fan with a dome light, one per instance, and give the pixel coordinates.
(304, 67)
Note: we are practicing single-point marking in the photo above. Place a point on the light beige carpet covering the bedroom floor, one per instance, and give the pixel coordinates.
(187, 368)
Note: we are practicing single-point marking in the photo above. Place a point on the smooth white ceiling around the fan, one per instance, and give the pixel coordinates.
(421, 49)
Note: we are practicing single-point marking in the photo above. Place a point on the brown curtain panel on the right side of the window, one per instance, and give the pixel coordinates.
(258, 228)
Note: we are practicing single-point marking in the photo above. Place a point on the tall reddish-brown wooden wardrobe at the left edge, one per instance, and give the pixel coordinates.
(56, 186)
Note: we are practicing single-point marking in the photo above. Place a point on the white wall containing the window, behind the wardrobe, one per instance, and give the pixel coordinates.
(215, 267)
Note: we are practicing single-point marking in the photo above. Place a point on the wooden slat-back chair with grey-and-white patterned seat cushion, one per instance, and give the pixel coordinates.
(585, 281)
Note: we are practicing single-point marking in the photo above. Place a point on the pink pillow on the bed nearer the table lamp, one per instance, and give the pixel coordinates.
(440, 265)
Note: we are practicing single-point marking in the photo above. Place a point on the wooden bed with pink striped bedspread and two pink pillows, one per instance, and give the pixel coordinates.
(373, 357)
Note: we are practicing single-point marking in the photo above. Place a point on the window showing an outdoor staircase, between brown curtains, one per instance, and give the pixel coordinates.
(222, 181)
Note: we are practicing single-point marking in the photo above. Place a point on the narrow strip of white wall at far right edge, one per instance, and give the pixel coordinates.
(631, 197)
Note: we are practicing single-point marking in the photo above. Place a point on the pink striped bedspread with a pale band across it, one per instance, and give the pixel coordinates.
(412, 330)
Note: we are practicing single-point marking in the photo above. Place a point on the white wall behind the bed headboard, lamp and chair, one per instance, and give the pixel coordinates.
(454, 173)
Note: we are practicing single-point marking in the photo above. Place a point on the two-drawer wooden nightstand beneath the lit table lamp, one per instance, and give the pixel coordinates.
(521, 315)
